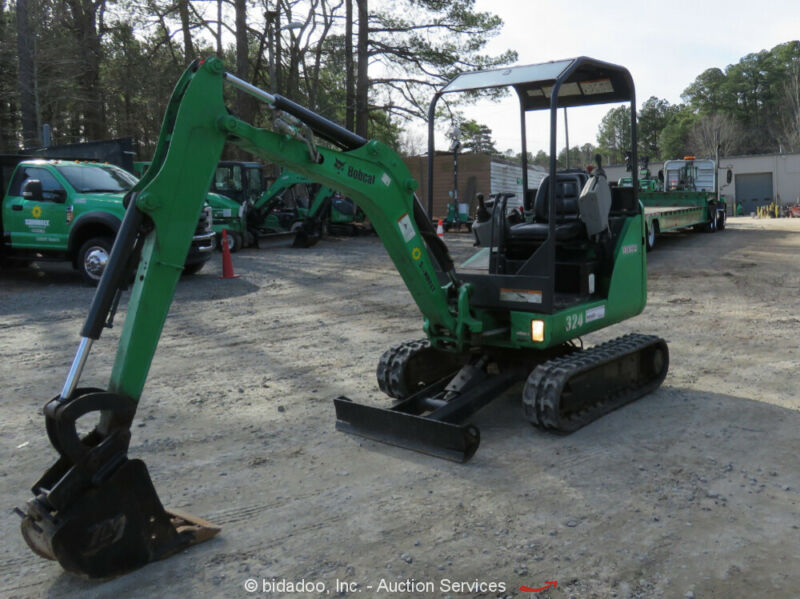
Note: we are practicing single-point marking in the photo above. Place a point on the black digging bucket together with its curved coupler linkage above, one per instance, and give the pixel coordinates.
(95, 511)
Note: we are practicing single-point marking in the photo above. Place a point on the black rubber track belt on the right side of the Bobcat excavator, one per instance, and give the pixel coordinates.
(542, 393)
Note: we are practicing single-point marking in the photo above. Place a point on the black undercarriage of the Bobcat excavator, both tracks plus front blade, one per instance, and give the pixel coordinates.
(567, 389)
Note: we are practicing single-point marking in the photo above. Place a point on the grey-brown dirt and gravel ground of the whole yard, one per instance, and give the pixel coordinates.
(692, 491)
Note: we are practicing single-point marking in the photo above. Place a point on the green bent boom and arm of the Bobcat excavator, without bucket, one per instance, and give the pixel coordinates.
(195, 131)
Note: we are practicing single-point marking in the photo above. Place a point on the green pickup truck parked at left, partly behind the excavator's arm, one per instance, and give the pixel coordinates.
(72, 210)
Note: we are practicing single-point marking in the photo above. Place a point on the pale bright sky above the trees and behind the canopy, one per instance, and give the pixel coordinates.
(664, 45)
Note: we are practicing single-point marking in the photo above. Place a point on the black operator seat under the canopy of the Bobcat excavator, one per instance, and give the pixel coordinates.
(568, 224)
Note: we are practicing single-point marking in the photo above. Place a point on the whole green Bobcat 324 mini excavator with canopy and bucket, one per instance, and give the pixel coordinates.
(508, 316)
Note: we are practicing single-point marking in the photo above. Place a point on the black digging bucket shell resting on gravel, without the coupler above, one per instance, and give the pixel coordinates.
(112, 528)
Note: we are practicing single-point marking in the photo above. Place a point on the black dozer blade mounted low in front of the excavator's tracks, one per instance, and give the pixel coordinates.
(454, 442)
